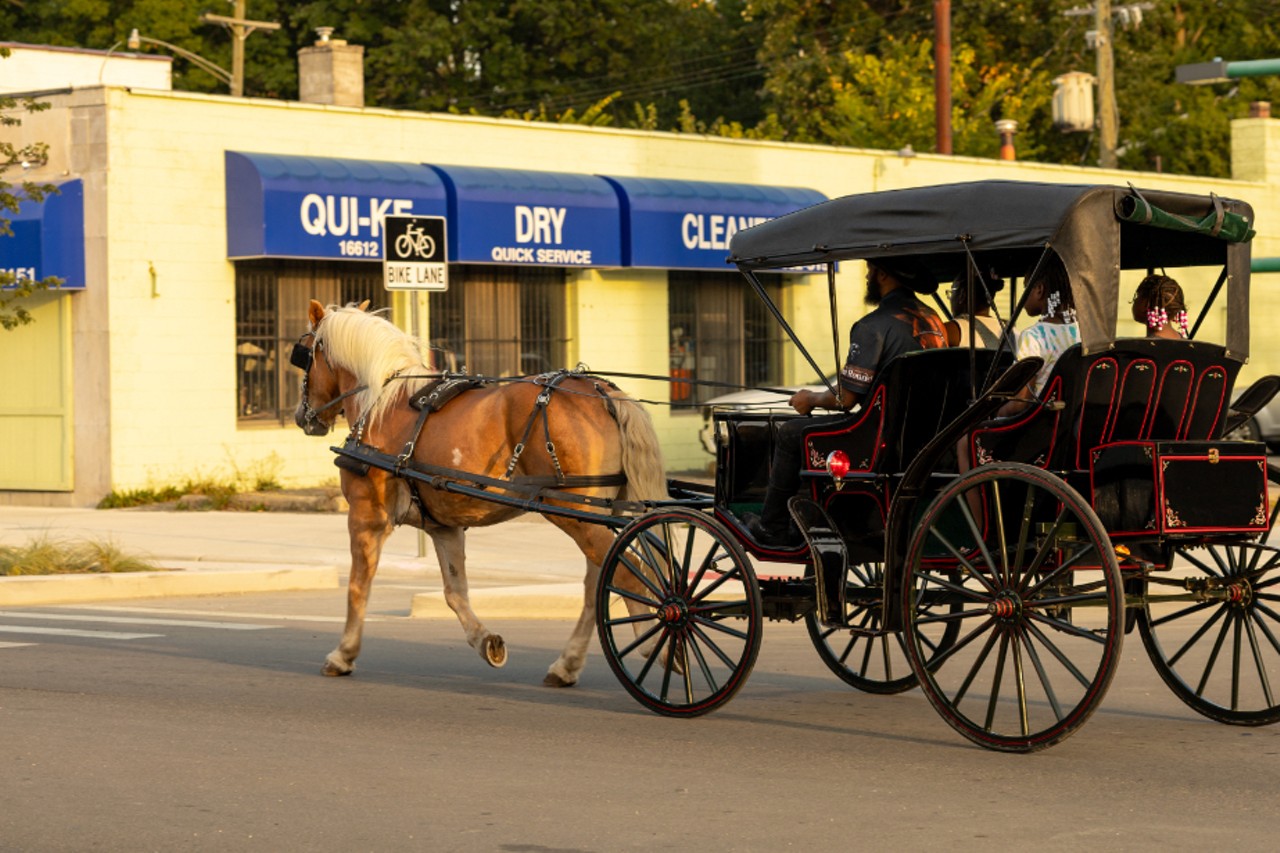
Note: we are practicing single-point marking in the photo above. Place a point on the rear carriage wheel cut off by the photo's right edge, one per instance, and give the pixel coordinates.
(1213, 631)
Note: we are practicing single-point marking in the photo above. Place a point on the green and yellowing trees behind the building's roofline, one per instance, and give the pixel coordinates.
(854, 72)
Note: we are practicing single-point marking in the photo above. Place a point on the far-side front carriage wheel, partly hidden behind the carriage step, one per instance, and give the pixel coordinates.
(861, 654)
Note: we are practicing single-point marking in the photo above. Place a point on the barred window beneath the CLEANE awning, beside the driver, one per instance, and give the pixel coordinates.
(720, 332)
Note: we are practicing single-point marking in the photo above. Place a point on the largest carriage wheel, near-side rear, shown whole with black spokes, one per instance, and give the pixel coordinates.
(1041, 608)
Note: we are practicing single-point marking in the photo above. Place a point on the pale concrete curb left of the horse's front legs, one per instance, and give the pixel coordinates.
(66, 590)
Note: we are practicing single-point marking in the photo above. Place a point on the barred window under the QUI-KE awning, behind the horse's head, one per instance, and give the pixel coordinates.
(272, 299)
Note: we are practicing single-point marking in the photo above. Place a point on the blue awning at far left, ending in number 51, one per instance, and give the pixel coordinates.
(49, 239)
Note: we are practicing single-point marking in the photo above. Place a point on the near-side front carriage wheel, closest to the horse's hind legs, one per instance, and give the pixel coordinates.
(687, 614)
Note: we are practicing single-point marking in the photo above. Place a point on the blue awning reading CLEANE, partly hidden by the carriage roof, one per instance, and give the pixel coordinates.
(688, 225)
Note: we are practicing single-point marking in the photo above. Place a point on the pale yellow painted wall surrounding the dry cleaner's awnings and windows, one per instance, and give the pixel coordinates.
(172, 362)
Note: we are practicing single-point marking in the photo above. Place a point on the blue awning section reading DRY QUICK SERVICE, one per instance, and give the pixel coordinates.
(532, 218)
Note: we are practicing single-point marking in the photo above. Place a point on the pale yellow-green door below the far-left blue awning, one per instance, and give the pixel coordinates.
(36, 402)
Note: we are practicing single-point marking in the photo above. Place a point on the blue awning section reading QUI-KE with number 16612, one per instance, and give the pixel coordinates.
(324, 208)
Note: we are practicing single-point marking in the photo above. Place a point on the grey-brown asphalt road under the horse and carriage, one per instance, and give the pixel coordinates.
(204, 724)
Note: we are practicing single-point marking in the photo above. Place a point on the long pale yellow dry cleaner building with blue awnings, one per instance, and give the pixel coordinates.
(205, 223)
